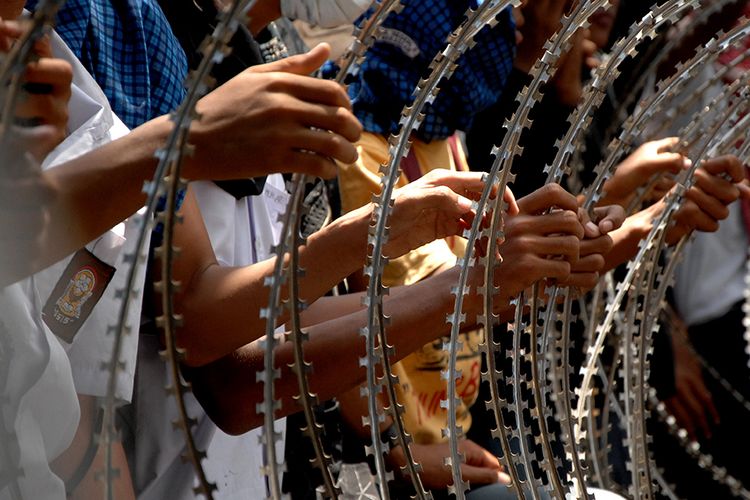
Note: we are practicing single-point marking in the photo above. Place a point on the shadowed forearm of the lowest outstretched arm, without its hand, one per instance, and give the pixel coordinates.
(227, 388)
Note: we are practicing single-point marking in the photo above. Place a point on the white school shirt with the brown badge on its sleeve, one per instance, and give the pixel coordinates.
(92, 124)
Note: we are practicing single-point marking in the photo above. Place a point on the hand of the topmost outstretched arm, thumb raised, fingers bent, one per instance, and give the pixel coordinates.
(273, 118)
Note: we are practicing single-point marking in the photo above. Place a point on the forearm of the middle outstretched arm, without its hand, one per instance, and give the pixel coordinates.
(229, 300)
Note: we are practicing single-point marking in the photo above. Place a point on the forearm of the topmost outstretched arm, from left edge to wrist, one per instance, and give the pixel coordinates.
(71, 196)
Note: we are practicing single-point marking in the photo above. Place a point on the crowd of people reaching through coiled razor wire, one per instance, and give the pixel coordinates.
(92, 115)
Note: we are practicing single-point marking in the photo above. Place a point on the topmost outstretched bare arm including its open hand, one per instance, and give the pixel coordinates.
(268, 109)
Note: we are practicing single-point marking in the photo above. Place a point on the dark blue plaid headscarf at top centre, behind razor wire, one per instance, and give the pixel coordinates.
(387, 78)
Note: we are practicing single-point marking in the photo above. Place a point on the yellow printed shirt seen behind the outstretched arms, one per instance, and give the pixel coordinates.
(421, 387)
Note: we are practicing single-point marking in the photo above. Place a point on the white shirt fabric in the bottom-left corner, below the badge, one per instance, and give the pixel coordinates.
(39, 410)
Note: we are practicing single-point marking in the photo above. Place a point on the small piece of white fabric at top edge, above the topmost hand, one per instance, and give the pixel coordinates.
(324, 13)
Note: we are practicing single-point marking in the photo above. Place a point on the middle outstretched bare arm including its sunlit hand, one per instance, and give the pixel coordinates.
(228, 300)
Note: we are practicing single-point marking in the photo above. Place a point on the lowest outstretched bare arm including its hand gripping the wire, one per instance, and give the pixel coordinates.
(227, 388)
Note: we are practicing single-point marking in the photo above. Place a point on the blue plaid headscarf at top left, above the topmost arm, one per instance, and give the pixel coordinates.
(129, 49)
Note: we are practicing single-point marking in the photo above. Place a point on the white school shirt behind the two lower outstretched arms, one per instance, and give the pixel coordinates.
(241, 233)
